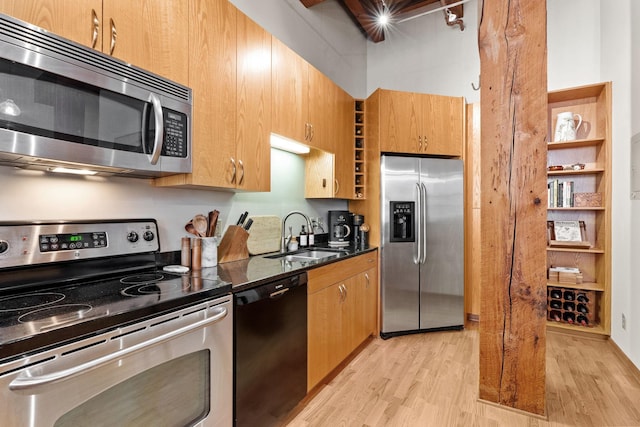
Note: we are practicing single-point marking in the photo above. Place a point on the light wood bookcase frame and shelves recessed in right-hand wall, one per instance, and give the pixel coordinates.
(593, 148)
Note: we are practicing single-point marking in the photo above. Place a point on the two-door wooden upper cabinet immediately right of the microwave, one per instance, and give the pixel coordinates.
(230, 75)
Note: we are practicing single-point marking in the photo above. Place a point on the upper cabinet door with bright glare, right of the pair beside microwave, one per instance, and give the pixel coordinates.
(253, 106)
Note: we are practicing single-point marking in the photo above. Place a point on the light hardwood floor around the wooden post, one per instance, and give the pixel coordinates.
(431, 379)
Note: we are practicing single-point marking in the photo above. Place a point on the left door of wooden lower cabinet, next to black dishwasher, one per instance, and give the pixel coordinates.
(324, 319)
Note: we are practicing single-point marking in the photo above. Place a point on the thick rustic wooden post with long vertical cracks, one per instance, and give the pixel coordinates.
(513, 59)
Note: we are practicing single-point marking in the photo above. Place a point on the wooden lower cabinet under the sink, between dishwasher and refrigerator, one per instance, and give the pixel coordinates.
(341, 312)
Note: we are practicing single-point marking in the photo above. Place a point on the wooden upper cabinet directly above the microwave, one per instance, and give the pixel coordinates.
(149, 34)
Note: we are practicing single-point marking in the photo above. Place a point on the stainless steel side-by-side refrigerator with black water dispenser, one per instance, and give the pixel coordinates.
(422, 269)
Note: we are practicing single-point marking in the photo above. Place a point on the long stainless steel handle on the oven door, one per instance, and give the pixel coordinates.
(24, 382)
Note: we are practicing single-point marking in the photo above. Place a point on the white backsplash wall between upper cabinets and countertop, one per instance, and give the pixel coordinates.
(34, 195)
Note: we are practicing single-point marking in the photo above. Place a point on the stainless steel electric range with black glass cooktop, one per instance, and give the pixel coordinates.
(92, 325)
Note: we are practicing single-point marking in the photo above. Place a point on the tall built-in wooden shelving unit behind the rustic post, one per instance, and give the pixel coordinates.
(591, 152)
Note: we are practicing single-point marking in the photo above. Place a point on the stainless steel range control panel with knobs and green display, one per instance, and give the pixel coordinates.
(36, 243)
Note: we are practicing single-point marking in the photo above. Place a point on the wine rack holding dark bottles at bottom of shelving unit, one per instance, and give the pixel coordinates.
(572, 306)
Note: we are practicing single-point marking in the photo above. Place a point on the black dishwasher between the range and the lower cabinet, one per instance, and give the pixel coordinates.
(270, 351)
